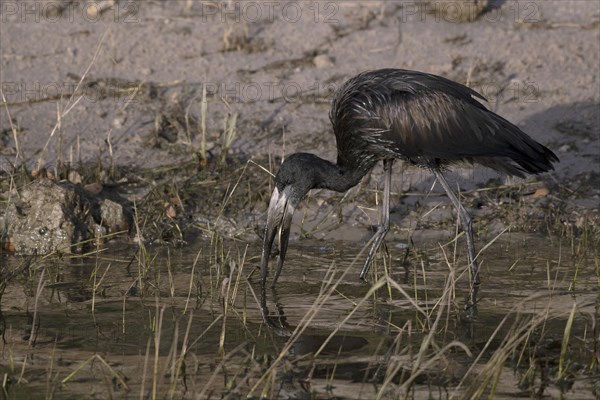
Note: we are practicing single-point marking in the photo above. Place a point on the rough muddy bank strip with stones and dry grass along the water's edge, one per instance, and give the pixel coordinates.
(180, 204)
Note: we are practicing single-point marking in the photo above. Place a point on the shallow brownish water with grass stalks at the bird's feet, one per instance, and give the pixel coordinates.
(117, 322)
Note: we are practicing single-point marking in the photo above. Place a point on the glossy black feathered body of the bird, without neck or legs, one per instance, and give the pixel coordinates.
(429, 121)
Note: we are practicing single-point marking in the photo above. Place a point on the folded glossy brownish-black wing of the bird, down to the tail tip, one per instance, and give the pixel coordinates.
(434, 121)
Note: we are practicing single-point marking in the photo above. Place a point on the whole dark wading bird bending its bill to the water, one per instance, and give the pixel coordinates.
(422, 119)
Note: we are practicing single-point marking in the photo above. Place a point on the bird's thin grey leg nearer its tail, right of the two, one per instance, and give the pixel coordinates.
(467, 224)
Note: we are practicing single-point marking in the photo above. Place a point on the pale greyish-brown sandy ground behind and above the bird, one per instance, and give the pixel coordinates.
(275, 65)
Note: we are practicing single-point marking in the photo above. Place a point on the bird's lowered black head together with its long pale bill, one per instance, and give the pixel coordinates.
(298, 174)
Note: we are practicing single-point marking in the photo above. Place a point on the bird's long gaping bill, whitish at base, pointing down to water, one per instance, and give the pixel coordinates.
(279, 221)
